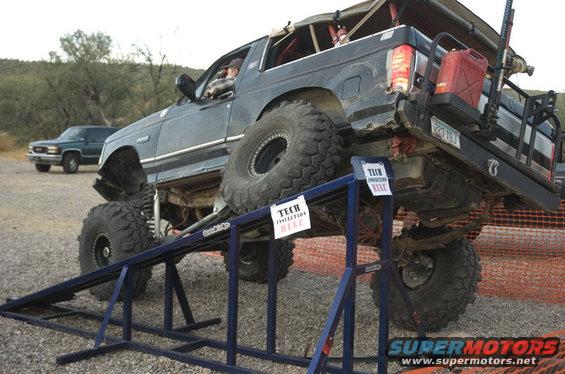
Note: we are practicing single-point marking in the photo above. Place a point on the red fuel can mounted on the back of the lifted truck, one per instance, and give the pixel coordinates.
(462, 73)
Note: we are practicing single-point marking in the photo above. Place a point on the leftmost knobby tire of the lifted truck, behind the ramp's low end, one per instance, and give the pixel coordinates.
(110, 233)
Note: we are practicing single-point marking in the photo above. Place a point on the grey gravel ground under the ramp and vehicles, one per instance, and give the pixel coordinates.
(40, 218)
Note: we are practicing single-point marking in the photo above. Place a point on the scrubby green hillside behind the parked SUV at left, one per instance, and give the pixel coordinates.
(39, 99)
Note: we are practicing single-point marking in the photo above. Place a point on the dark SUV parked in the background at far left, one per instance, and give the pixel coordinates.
(75, 146)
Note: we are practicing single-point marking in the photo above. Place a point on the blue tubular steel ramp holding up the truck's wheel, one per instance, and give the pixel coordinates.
(347, 187)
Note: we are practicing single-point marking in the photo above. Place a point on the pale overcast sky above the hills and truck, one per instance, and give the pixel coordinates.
(196, 33)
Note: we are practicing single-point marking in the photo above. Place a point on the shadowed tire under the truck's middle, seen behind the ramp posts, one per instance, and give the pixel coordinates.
(254, 260)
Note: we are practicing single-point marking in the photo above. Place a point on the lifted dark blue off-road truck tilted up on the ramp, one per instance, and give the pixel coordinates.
(306, 98)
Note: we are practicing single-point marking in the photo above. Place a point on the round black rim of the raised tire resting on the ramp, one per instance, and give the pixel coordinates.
(268, 153)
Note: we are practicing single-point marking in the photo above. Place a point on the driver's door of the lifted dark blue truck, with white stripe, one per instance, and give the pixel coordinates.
(192, 139)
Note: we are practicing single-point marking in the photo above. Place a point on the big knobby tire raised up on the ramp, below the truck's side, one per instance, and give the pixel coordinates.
(292, 148)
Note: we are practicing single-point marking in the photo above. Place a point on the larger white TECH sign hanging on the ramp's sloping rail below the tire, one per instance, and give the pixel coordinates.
(290, 217)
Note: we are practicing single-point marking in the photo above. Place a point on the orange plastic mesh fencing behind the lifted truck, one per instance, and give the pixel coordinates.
(522, 253)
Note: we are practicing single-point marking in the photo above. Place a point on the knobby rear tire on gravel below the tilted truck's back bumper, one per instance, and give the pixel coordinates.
(441, 286)
